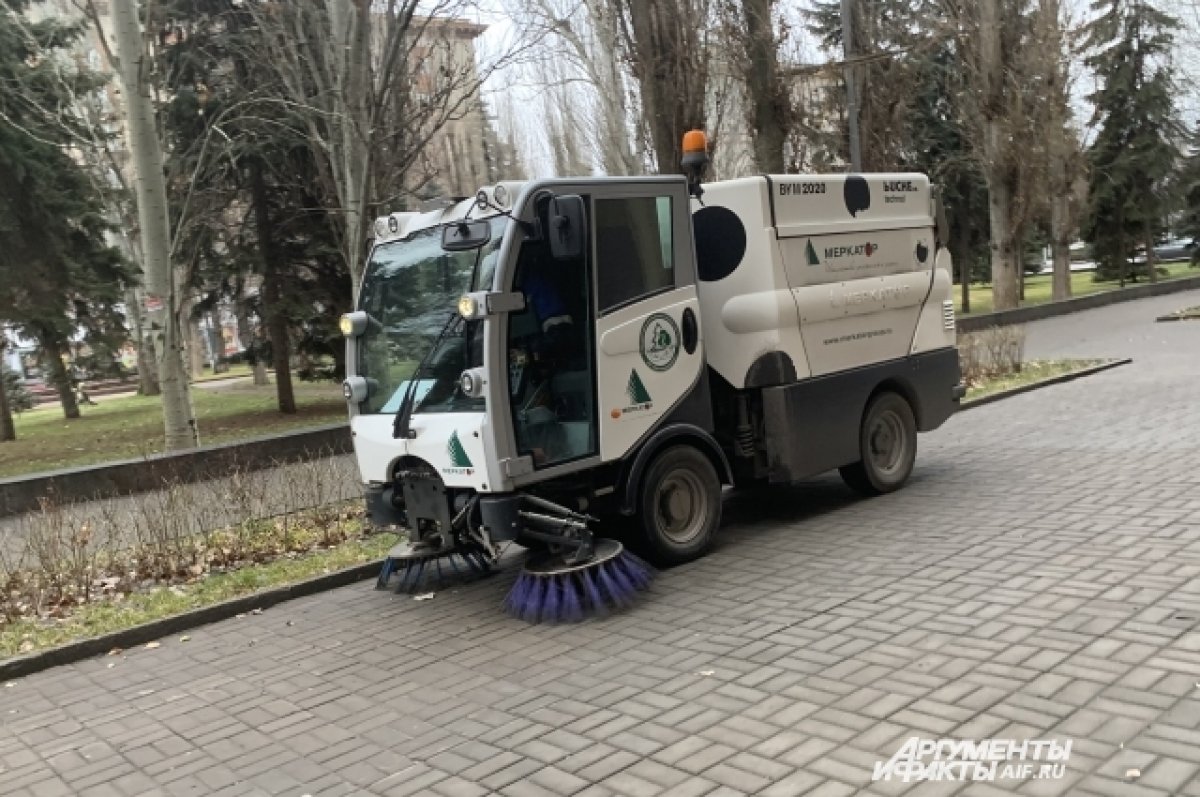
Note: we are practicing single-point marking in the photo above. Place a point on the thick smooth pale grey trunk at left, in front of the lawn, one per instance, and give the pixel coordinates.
(179, 420)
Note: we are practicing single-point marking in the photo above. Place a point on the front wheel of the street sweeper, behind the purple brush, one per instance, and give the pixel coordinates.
(680, 507)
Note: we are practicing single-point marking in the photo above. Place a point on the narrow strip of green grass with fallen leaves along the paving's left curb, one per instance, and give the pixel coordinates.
(136, 609)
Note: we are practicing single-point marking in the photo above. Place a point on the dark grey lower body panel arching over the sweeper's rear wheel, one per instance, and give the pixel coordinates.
(813, 426)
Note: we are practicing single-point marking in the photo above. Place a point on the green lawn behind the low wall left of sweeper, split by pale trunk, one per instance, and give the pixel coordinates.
(123, 428)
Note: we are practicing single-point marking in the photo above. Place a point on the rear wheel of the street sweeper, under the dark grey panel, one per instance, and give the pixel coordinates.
(887, 444)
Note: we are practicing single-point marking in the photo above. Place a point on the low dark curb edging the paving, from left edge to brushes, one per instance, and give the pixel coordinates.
(73, 652)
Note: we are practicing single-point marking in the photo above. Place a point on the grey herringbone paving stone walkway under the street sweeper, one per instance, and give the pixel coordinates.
(1037, 580)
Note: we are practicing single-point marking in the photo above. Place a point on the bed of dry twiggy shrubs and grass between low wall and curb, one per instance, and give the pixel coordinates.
(88, 561)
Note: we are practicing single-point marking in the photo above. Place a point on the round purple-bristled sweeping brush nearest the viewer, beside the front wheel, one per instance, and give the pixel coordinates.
(550, 591)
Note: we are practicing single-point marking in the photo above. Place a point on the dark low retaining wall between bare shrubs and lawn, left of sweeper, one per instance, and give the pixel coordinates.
(130, 477)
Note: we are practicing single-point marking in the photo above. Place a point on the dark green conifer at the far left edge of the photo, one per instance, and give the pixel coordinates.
(58, 275)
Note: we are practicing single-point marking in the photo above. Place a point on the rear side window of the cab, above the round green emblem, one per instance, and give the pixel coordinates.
(635, 251)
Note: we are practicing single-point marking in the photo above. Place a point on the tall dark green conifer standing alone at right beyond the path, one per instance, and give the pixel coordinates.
(1137, 148)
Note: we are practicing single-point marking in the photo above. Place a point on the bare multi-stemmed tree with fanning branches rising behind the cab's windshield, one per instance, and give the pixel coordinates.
(375, 83)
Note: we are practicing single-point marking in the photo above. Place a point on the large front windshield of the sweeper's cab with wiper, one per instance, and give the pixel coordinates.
(411, 290)
